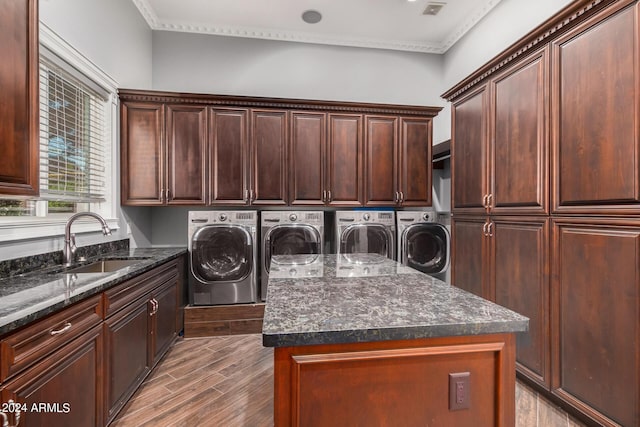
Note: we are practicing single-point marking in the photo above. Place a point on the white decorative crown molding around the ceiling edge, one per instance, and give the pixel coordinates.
(157, 24)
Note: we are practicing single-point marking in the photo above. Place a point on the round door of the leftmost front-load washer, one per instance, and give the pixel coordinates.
(221, 253)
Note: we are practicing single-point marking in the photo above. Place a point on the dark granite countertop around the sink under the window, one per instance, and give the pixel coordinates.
(31, 296)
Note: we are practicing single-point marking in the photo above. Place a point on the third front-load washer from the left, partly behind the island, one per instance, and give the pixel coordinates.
(360, 232)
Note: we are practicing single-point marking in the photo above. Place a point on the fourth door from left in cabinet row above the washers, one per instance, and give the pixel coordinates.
(269, 158)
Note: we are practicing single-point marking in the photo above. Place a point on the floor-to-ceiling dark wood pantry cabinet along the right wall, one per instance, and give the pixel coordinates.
(546, 203)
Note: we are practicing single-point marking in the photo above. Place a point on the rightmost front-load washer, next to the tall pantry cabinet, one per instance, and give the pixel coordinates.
(423, 244)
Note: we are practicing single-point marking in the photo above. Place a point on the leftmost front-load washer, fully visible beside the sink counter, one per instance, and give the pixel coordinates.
(222, 257)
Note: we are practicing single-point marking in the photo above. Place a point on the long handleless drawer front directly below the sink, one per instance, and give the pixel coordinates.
(120, 296)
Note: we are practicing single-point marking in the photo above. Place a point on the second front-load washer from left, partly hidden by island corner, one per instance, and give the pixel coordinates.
(290, 233)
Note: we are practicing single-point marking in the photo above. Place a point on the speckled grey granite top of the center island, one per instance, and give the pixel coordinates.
(366, 298)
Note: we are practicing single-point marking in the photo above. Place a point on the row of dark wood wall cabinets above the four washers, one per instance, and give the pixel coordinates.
(237, 151)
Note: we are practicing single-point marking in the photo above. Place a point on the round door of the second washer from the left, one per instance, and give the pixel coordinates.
(292, 239)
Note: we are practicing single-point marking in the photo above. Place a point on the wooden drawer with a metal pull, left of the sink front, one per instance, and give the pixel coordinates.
(28, 345)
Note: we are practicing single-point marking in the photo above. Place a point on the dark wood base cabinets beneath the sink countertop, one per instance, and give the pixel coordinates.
(78, 367)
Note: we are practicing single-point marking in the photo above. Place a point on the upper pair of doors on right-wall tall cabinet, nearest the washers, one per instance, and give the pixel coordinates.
(500, 143)
